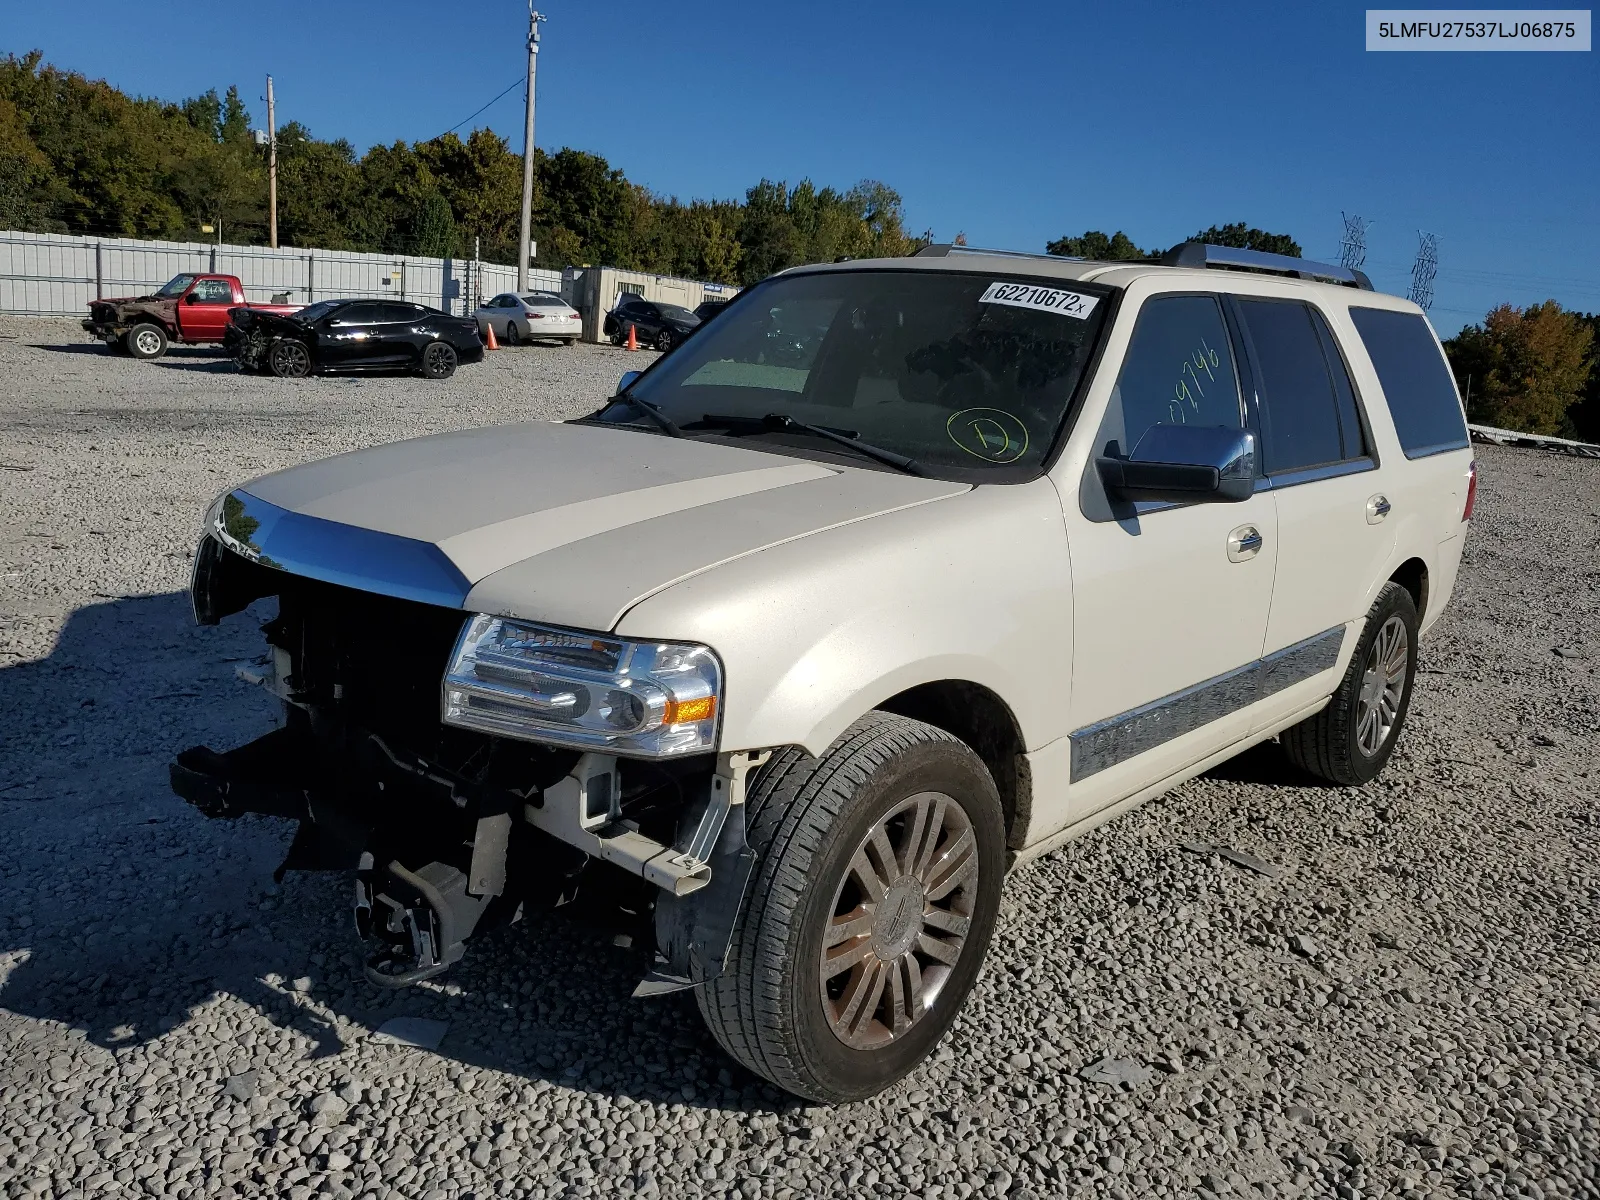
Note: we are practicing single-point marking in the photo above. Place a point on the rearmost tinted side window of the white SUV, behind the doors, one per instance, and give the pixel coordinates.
(1417, 383)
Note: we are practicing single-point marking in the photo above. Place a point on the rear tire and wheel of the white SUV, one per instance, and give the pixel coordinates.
(1351, 740)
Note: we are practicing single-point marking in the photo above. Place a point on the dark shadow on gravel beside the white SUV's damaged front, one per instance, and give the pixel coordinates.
(127, 914)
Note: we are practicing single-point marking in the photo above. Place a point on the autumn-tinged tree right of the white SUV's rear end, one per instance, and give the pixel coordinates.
(1529, 367)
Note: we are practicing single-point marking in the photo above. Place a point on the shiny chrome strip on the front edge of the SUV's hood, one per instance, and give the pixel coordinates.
(338, 554)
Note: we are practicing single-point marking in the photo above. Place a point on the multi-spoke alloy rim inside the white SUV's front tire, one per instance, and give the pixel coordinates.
(900, 921)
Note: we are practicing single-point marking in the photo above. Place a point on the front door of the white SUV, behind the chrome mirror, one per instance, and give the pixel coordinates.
(1170, 601)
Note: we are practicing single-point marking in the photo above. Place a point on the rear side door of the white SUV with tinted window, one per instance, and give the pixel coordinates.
(1335, 527)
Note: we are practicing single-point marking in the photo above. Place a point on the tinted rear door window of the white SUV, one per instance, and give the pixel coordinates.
(1300, 418)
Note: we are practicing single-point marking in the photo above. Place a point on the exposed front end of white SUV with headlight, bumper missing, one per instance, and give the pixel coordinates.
(454, 828)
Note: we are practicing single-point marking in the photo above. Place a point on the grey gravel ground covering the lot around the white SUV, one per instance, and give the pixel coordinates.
(1409, 1007)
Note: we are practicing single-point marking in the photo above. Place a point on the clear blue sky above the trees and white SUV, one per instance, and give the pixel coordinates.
(1010, 122)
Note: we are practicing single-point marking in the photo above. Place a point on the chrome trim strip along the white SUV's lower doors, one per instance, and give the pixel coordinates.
(1119, 738)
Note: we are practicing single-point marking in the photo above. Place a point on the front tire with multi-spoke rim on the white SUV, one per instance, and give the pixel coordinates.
(809, 823)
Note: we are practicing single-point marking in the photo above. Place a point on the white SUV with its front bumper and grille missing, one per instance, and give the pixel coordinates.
(897, 575)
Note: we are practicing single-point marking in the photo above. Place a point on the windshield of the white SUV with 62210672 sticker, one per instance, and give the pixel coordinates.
(969, 375)
